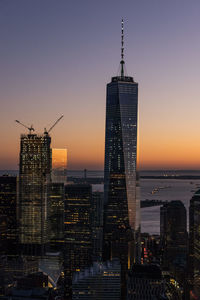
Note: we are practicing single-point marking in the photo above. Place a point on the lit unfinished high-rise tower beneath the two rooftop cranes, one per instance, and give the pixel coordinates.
(34, 175)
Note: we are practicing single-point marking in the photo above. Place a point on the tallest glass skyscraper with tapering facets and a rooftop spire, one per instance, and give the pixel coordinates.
(122, 207)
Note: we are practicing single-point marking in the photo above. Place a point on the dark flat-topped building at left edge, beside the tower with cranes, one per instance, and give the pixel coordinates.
(8, 215)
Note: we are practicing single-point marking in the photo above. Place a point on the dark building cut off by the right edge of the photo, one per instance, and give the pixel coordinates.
(194, 246)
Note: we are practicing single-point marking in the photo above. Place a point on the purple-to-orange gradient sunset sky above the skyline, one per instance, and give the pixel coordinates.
(56, 57)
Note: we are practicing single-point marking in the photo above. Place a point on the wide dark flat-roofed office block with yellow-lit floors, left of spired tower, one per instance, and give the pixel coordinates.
(77, 231)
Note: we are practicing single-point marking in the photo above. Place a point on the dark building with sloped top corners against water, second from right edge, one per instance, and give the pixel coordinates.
(174, 245)
